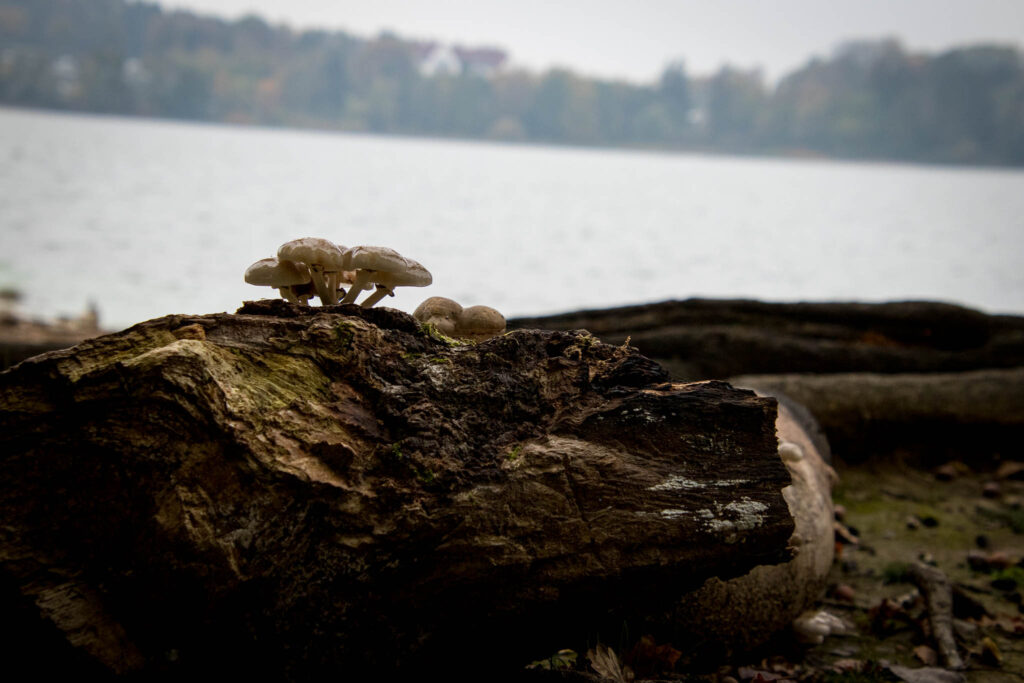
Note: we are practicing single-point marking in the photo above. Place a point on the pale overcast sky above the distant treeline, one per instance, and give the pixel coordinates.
(635, 39)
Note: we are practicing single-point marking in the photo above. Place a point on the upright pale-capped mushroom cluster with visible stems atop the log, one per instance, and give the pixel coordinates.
(314, 267)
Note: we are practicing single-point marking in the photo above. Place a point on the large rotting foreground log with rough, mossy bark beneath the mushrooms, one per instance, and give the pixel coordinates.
(292, 491)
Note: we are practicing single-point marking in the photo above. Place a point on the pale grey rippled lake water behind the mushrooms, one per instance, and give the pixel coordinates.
(149, 218)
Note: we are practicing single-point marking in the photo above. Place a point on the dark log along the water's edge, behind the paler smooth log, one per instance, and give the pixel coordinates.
(701, 339)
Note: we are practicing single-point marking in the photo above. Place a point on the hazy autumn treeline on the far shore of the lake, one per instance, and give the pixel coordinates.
(870, 100)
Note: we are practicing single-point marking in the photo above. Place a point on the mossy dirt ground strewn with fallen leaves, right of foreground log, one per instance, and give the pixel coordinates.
(967, 524)
